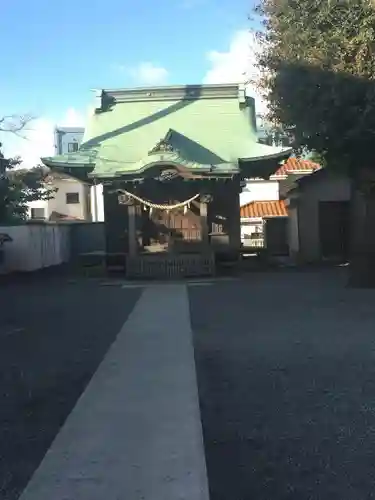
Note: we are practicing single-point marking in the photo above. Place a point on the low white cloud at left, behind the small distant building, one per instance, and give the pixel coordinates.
(37, 140)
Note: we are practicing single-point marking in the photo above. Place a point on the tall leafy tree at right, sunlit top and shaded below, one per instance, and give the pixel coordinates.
(318, 74)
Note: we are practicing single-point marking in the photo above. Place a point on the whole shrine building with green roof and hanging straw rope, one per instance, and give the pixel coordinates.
(171, 160)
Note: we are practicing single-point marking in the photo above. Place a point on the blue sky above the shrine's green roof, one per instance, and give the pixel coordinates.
(55, 52)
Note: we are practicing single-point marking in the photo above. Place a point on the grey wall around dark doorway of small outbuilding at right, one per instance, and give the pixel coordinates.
(326, 188)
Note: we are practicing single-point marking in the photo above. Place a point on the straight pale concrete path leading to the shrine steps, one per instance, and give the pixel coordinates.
(135, 433)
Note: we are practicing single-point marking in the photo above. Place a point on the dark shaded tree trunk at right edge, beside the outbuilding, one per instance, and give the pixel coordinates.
(362, 261)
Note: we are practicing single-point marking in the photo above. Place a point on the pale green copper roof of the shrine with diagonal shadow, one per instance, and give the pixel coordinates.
(203, 128)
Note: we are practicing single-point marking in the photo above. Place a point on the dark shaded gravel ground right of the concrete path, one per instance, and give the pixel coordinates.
(286, 372)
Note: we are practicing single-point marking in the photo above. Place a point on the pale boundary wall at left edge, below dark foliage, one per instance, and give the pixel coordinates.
(35, 247)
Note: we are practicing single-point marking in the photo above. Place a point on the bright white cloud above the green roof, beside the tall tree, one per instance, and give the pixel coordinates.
(237, 65)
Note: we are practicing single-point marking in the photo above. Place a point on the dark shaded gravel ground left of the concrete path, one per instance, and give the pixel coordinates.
(53, 336)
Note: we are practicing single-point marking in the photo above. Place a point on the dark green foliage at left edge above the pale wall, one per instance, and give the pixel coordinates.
(19, 187)
